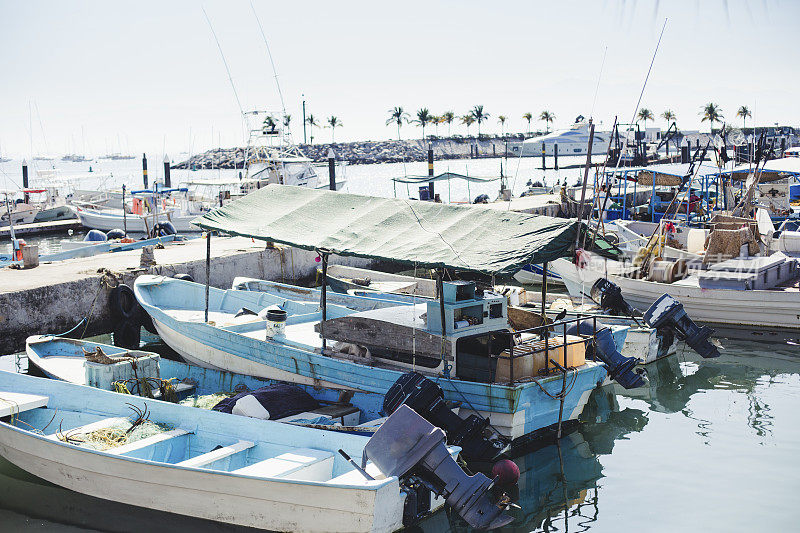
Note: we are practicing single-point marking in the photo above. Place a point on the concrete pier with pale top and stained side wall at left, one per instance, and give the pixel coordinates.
(53, 298)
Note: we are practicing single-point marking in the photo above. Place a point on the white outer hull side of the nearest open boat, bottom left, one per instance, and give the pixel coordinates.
(264, 504)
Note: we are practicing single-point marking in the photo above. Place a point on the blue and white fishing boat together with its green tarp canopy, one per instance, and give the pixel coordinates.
(462, 340)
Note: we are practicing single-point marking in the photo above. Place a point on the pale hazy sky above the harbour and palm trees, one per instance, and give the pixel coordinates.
(139, 76)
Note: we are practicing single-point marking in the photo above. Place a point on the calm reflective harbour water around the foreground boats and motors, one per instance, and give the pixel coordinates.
(710, 445)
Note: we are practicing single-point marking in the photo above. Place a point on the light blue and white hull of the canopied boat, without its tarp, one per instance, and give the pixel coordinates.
(515, 407)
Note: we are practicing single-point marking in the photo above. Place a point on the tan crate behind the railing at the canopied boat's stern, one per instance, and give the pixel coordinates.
(529, 357)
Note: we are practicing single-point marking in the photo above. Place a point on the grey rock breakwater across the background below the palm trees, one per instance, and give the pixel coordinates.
(370, 152)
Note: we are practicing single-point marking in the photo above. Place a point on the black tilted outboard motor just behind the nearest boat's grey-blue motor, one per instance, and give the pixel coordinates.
(427, 399)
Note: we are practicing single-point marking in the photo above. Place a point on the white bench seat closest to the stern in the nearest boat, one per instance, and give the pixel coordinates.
(302, 463)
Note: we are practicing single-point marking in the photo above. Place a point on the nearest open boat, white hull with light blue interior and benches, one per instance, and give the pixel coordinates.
(193, 462)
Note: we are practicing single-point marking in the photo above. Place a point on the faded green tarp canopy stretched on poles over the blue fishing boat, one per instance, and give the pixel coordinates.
(426, 234)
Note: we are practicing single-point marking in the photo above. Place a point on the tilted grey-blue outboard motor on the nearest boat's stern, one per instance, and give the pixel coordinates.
(408, 446)
